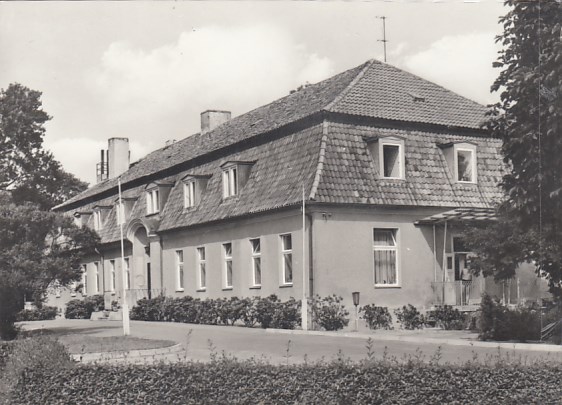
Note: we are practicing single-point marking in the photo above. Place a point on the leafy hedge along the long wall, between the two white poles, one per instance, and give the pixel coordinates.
(268, 312)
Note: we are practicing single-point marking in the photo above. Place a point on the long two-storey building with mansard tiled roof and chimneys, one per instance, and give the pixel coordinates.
(390, 168)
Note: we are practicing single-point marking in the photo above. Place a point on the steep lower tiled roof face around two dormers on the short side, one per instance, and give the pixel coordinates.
(349, 174)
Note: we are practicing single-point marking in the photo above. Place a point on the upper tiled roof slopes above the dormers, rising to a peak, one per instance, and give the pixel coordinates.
(373, 89)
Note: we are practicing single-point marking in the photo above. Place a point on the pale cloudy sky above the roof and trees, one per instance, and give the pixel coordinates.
(146, 70)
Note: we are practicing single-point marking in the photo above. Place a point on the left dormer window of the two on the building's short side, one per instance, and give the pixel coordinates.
(388, 156)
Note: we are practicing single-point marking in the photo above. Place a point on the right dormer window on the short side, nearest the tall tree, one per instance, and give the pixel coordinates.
(461, 159)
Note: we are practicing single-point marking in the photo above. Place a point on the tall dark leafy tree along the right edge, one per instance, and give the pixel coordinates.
(528, 119)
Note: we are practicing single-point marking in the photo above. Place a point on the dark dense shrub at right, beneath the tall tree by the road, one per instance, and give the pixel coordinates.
(497, 322)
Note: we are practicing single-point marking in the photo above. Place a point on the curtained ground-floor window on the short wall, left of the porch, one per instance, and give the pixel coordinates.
(385, 250)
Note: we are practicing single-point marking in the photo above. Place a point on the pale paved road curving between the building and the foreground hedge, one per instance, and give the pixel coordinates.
(244, 343)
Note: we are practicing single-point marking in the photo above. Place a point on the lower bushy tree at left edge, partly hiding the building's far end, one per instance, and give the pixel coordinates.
(37, 250)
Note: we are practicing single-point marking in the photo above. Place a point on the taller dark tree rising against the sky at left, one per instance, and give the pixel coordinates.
(26, 169)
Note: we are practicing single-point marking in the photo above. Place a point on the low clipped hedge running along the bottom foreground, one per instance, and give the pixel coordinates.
(230, 381)
